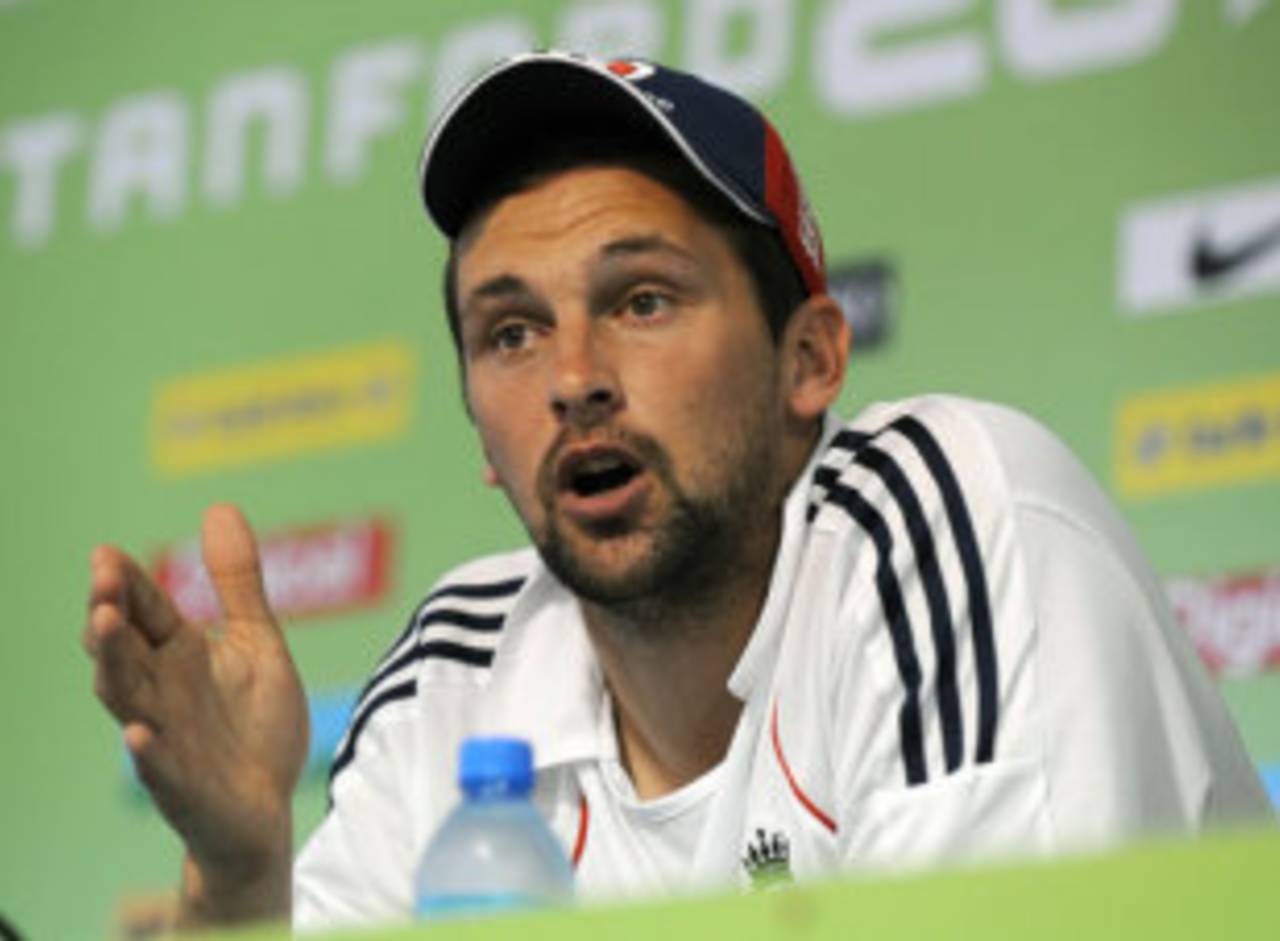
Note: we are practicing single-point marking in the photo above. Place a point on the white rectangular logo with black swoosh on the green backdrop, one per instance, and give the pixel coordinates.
(1201, 249)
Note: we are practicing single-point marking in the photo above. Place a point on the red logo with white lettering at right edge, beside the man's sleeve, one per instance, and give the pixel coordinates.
(1235, 620)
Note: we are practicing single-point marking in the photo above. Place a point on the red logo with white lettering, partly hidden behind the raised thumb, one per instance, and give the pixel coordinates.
(310, 572)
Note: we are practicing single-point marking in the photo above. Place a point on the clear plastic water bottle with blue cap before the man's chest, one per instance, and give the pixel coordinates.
(495, 852)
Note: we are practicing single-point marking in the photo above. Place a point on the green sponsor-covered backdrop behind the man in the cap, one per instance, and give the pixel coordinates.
(1067, 205)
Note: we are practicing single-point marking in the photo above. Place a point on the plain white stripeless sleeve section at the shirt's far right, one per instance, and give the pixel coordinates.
(1139, 741)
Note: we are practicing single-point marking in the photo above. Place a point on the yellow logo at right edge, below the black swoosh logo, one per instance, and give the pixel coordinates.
(1199, 437)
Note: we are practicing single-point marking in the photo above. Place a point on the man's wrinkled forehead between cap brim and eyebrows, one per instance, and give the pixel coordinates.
(579, 212)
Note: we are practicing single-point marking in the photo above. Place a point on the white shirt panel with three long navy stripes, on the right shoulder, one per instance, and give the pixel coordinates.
(935, 652)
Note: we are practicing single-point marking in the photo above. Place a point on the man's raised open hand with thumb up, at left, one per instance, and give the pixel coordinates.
(216, 720)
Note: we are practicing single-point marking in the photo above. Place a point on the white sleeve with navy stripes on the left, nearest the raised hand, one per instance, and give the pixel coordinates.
(391, 783)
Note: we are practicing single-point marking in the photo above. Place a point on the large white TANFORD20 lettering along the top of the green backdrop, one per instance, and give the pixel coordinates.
(138, 157)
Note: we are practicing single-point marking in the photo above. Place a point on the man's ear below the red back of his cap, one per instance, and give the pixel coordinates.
(816, 354)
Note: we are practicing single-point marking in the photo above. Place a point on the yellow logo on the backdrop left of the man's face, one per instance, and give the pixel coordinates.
(282, 408)
